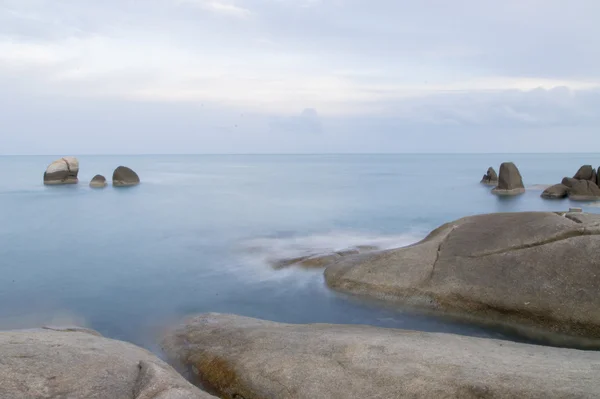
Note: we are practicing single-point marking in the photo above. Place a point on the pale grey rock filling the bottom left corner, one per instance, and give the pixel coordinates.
(76, 363)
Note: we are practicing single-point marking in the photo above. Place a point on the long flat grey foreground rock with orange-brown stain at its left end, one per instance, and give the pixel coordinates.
(246, 358)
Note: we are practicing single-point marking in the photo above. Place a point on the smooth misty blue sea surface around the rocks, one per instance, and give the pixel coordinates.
(198, 233)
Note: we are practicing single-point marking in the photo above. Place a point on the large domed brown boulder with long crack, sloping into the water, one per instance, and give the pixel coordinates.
(537, 273)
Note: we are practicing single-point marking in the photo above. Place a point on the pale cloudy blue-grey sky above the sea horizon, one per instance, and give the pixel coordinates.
(299, 76)
